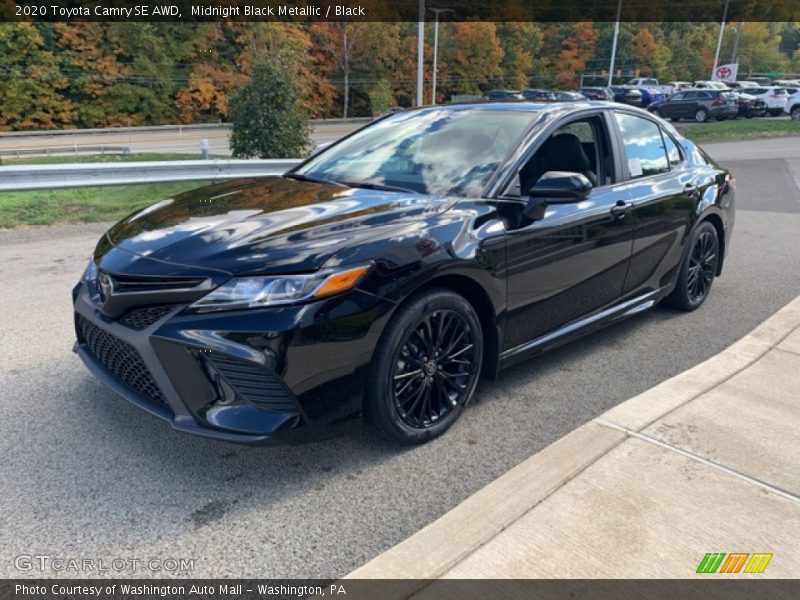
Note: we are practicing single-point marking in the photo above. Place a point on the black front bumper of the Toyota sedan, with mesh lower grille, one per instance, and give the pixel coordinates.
(265, 376)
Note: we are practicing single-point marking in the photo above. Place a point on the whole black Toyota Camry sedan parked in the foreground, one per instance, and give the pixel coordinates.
(386, 274)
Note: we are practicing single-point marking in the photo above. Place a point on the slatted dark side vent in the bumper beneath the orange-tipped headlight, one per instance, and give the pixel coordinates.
(254, 384)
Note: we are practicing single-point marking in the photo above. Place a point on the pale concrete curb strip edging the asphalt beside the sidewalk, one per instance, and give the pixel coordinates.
(433, 550)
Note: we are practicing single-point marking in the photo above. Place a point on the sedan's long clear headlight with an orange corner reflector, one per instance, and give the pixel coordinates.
(258, 292)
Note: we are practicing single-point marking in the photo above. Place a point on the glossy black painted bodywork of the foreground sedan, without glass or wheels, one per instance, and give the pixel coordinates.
(535, 280)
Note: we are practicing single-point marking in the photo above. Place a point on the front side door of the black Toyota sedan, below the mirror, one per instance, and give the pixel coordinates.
(571, 261)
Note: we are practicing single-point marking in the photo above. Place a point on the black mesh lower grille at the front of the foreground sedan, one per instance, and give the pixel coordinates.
(119, 358)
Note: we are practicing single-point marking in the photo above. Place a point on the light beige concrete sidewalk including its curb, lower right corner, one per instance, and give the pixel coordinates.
(703, 462)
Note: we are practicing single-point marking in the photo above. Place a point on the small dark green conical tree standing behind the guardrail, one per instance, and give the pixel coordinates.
(267, 119)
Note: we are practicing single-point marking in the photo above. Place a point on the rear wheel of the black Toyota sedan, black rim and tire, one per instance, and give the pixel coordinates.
(697, 270)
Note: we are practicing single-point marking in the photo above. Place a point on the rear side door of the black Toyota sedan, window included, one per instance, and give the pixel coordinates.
(663, 193)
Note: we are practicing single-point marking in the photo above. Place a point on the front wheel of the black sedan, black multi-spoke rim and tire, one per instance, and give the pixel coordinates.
(425, 367)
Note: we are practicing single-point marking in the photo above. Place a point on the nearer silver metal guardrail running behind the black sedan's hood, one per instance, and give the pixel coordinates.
(39, 177)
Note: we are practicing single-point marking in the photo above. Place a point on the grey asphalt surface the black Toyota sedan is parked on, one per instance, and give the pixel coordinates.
(85, 475)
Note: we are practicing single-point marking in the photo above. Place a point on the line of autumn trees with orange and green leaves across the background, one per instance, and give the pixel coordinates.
(60, 75)
